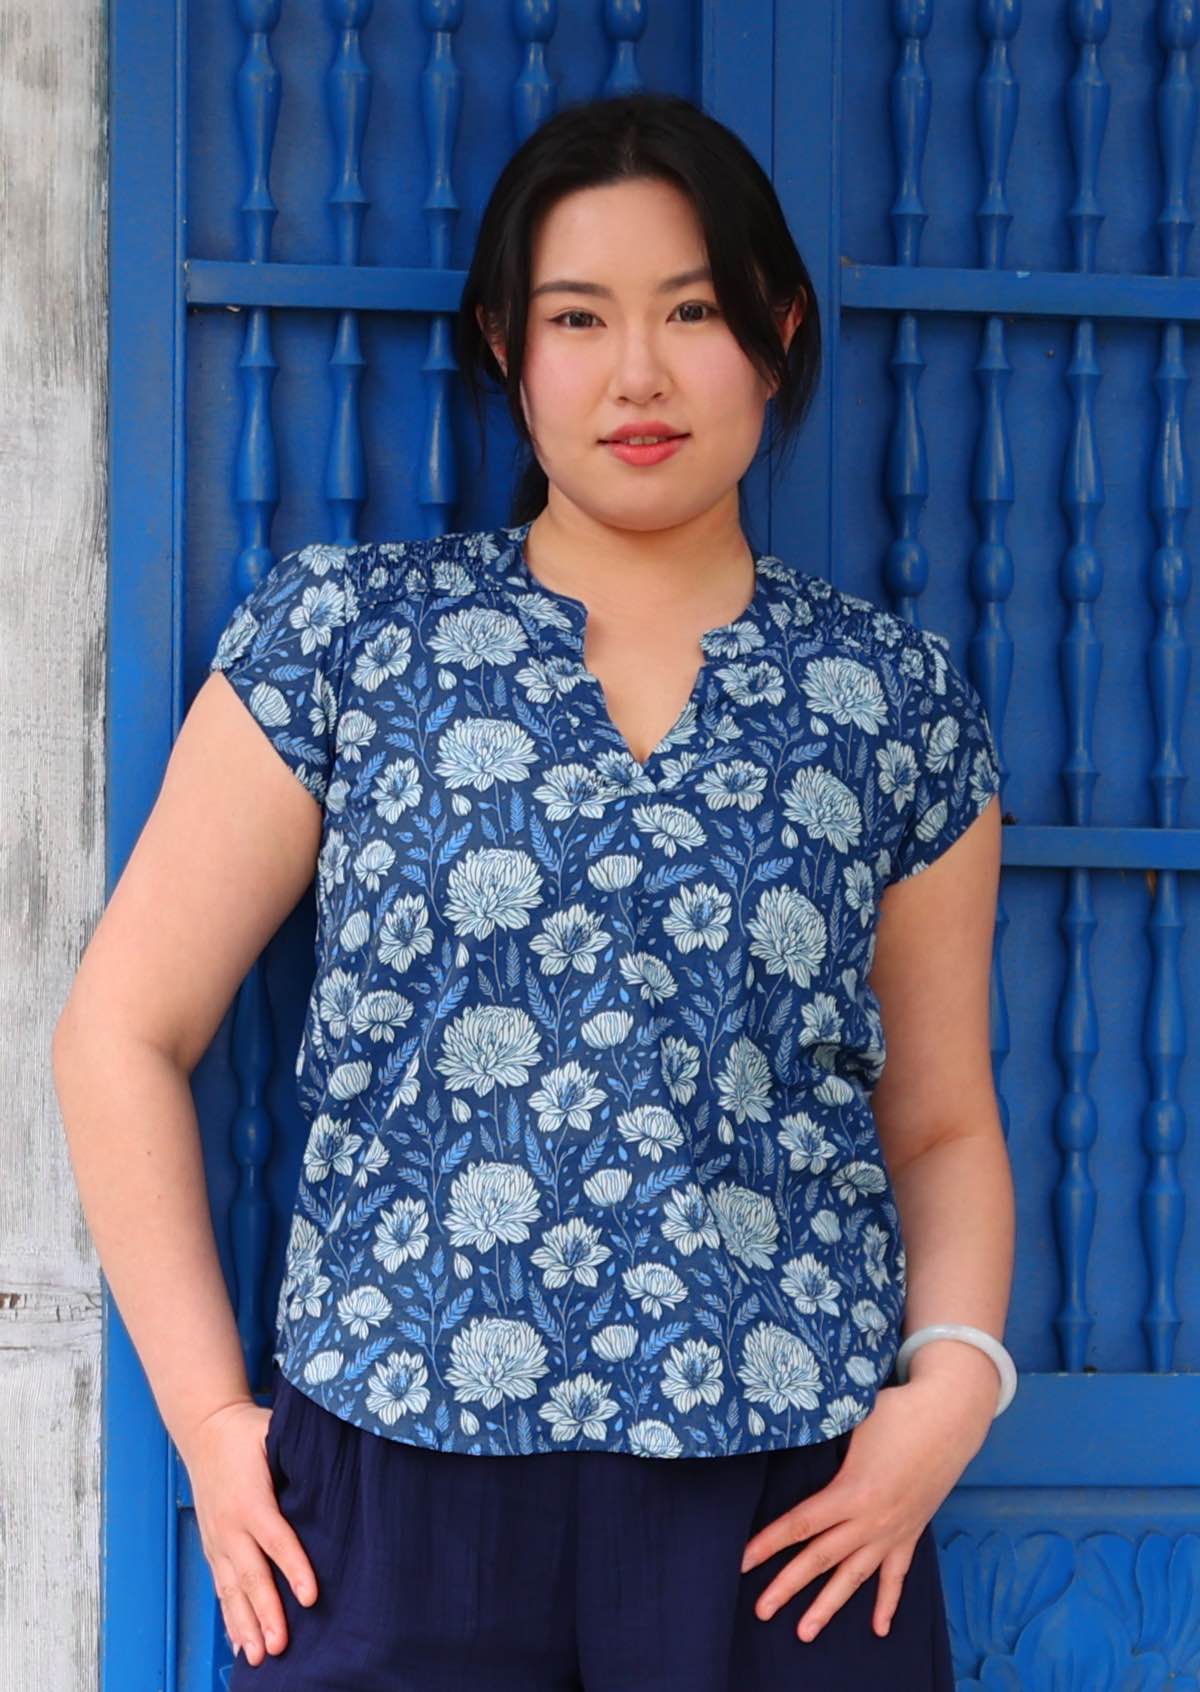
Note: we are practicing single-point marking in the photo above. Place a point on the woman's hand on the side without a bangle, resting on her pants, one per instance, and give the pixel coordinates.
(241, 1527)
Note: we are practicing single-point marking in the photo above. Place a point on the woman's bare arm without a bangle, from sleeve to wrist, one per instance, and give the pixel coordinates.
(226, 854)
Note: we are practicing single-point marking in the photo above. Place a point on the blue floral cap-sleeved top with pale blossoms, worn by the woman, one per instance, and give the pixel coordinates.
(590, 1050)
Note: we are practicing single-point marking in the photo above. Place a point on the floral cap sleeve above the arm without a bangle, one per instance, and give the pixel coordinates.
(283, 652)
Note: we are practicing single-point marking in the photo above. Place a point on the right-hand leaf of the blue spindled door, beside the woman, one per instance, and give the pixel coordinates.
(996, 202)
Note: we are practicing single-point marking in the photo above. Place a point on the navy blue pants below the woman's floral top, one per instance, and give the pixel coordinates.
(564, 1573)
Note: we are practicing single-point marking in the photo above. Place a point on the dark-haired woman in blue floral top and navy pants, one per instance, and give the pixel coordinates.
(590, 1326)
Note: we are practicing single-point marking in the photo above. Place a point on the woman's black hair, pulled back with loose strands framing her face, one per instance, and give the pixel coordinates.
(757, 270)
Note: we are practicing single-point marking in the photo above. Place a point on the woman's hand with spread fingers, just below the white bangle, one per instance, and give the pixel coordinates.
(905, 1458)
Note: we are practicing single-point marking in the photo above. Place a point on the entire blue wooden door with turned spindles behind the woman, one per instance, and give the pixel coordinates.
(994, 207)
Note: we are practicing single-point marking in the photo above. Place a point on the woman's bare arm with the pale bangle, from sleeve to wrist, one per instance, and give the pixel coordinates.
(937, 1111)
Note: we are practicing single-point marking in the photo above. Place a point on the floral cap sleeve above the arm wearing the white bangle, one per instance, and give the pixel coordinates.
(955, 764)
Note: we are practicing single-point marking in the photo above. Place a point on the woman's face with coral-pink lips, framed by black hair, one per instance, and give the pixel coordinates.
(630, 349)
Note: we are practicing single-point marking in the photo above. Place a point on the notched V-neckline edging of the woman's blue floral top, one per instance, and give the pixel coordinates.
(725, 640)
